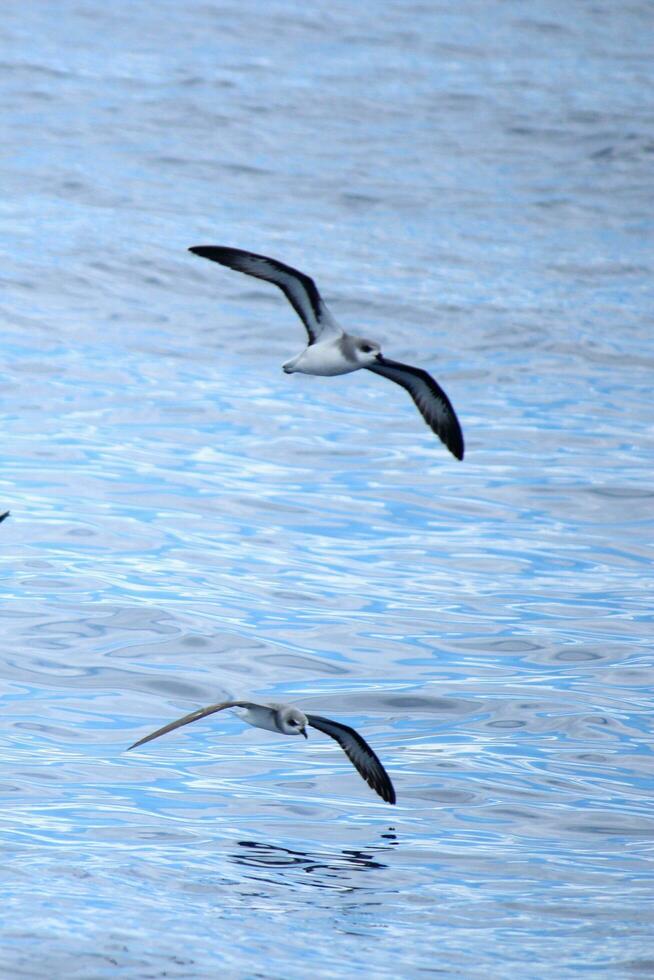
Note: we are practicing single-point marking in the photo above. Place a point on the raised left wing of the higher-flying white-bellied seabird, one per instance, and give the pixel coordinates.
(300, 290)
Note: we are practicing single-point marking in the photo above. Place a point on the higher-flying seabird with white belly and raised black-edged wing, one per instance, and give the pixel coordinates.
(331, 351)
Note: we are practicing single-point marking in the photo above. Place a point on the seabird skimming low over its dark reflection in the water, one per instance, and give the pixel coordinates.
(287, 720)
